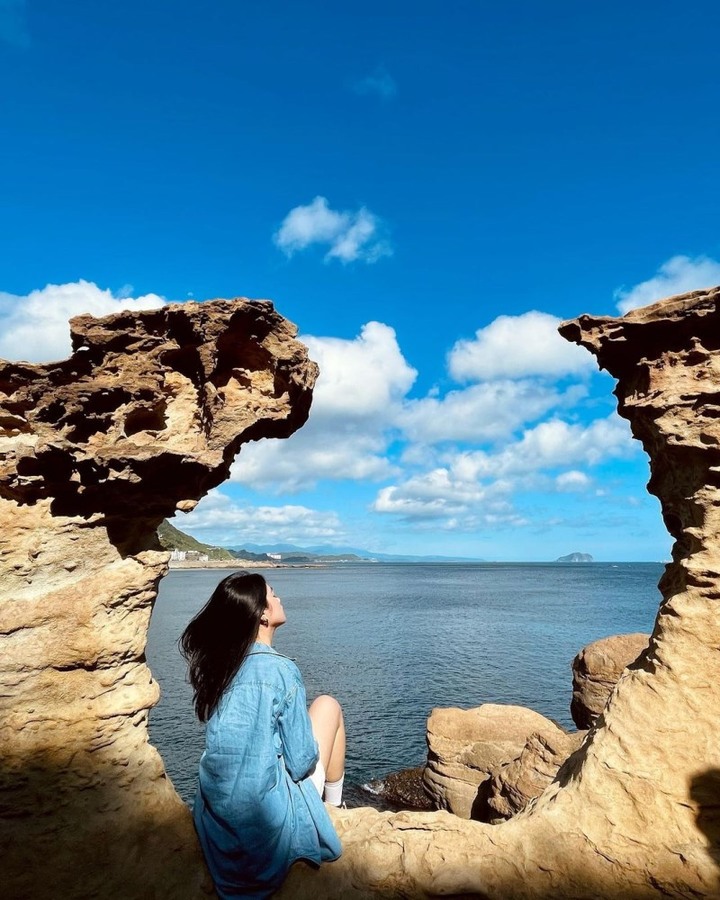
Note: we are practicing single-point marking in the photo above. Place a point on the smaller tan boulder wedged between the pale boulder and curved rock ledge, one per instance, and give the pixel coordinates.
(514, 785)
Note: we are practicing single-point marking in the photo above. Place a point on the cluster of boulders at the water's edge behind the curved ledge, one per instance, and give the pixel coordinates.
(490, 762)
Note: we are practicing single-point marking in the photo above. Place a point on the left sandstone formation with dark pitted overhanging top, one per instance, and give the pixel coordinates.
(142, 420)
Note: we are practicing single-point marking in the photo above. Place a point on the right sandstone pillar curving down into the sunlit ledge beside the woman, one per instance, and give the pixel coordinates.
(635, 813)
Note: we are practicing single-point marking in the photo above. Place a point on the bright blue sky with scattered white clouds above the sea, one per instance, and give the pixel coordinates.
(426, 189)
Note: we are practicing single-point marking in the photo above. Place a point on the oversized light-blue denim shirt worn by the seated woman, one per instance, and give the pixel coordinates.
(256, 811)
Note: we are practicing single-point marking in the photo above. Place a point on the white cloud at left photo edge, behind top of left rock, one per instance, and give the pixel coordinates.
(35, 327)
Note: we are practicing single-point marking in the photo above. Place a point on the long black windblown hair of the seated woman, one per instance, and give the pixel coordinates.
(218, 639)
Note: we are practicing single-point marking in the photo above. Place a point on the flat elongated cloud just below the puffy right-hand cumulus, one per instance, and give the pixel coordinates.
(482, 412)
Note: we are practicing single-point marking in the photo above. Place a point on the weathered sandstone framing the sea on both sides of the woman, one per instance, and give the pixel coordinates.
(634, 814)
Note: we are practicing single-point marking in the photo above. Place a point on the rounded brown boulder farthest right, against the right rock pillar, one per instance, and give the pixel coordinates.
(597, 669)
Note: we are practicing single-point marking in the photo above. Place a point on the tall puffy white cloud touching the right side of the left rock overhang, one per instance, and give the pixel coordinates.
(359, 392)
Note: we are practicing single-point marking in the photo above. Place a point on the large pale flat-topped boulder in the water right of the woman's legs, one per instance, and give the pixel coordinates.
(466, 745)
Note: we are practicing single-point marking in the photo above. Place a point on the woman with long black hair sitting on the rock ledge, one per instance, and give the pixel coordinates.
(268, 760)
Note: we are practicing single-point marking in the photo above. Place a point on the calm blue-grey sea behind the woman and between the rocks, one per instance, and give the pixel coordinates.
(392, 641)
